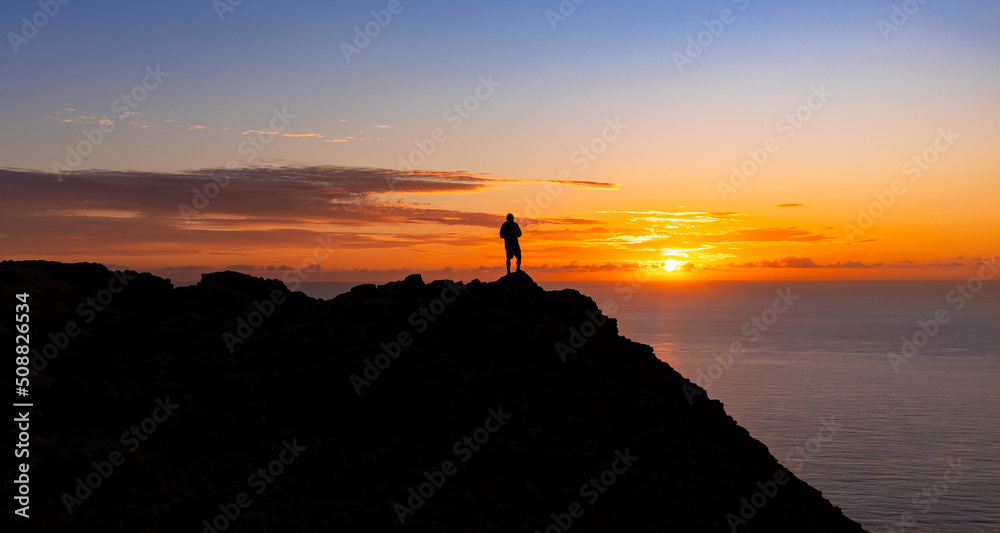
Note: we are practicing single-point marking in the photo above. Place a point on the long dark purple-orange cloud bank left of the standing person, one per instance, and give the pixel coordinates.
(137, 213)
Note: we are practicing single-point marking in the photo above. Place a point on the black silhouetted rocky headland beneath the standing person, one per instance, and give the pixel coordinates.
(468, 373)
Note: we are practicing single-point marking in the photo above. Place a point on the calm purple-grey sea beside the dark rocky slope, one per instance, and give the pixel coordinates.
(885, 396)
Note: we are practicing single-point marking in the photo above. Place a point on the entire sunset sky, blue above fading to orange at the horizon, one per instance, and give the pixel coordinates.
(692, 140)
